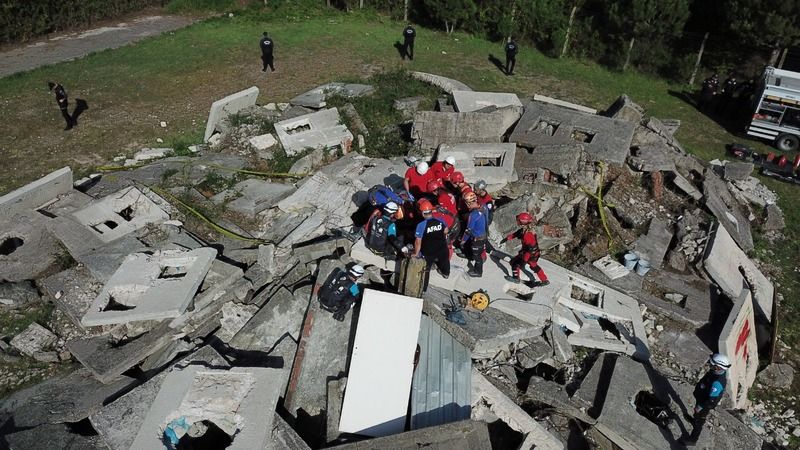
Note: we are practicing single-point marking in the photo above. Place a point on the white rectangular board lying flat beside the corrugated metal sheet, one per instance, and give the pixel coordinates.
(382, 365)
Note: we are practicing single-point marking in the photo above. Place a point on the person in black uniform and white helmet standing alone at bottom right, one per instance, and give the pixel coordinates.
(707, 394)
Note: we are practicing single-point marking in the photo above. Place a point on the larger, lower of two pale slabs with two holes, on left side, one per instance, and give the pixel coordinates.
(150, 287)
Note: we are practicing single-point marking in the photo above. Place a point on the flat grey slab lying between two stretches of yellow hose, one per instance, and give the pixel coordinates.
(251, 196)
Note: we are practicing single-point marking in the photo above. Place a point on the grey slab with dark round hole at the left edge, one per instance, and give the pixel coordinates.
(27, 249)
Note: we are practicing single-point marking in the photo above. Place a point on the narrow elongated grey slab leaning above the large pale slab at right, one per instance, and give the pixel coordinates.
(722, 204)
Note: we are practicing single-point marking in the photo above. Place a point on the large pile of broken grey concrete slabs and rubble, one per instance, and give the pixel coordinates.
(185, 338)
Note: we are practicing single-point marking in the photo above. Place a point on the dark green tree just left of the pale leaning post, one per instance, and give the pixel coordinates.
(656, 22)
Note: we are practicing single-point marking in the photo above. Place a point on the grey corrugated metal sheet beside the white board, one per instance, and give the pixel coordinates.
(441, 388)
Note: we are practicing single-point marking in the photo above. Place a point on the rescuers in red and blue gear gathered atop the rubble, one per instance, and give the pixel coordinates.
(436, 214)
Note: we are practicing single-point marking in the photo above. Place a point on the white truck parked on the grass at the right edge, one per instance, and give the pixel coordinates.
(776, 113)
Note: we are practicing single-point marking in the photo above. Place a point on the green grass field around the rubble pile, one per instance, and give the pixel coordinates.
(176, 77)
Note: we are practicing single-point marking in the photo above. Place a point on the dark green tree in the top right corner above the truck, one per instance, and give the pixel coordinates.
(775, 24)
